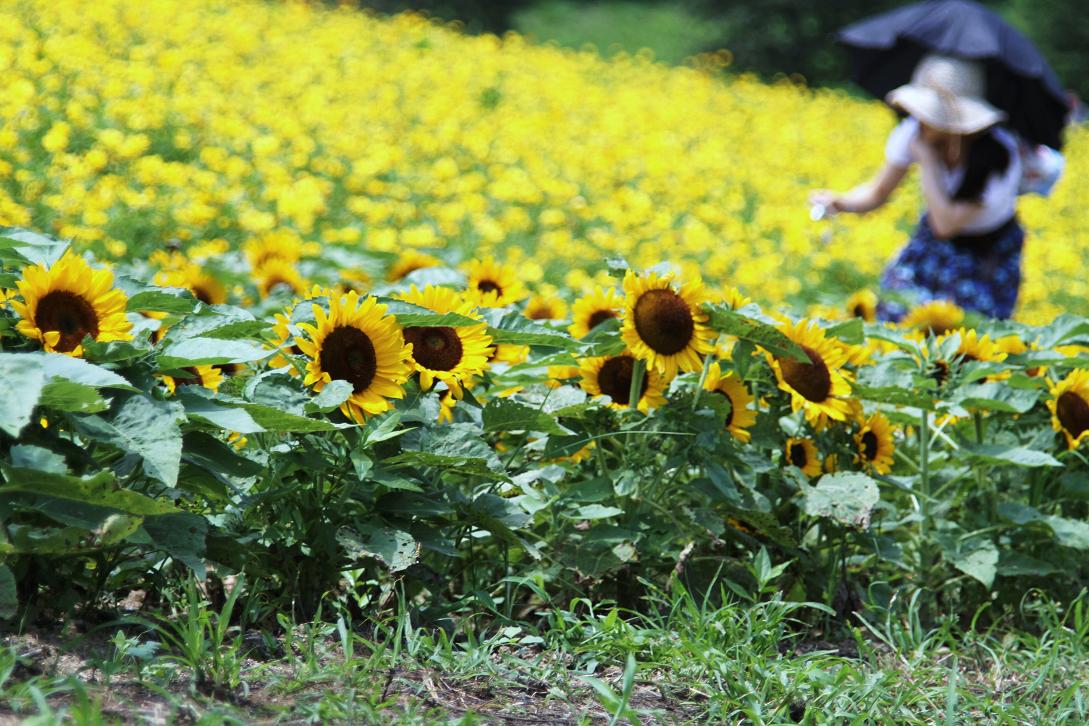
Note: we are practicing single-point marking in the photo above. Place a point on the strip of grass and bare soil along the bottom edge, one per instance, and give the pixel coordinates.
(681, 660)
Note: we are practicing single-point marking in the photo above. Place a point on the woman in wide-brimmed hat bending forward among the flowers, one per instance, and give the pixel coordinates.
(968, 248)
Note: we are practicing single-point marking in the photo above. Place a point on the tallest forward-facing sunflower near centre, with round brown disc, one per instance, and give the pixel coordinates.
(664, 326)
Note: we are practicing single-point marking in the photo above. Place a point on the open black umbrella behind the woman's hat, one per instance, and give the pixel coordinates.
(886, 50)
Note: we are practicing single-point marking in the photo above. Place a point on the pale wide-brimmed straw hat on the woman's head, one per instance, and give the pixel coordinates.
(947, 94)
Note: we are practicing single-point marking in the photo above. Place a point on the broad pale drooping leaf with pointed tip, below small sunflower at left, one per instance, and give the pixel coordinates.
(148, 428)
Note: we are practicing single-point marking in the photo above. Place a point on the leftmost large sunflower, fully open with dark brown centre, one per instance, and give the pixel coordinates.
(68, 302)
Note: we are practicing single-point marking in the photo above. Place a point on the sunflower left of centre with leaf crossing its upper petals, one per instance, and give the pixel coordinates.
(447, 353)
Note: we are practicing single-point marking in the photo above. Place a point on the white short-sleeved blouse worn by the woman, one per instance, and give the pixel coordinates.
(1000, 194)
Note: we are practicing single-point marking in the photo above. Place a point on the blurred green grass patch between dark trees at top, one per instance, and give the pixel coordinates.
(674, 33)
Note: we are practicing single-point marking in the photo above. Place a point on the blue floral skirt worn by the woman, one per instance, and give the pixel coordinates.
(981, 275)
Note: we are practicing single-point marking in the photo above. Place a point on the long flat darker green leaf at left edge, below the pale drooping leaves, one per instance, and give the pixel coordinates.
(101, 490)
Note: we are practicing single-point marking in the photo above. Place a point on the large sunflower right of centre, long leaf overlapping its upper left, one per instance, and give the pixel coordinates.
(819, 387)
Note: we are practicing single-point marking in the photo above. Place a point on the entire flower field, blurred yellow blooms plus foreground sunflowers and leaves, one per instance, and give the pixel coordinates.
(369, 311)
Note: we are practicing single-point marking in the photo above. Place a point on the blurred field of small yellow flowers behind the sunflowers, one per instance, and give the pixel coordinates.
(132, 125)
